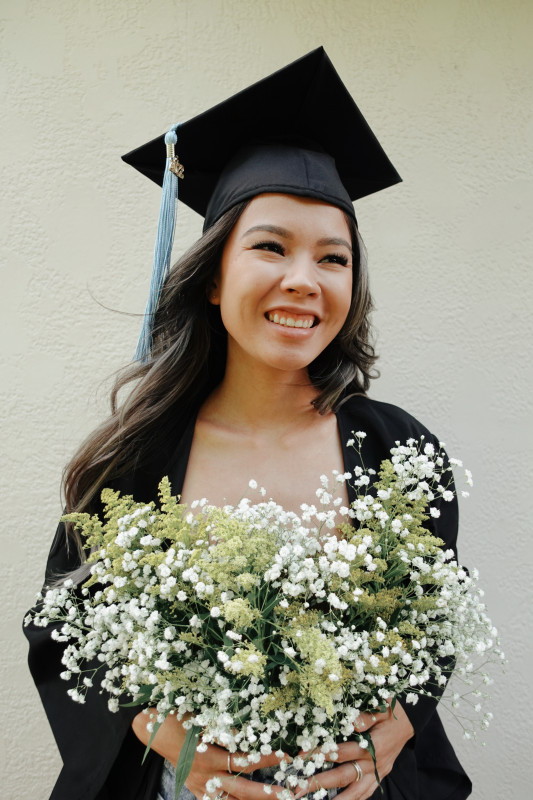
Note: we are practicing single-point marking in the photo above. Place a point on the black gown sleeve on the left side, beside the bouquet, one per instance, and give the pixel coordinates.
(102, 758)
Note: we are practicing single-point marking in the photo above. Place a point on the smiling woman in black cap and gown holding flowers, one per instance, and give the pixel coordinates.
(259, 358)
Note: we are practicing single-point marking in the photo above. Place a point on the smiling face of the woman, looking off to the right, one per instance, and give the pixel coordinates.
(285, 281)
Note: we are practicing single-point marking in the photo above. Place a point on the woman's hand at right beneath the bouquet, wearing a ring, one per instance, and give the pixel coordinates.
(390, 732)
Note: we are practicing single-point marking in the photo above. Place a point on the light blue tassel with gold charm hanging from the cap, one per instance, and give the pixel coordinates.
(163, 245)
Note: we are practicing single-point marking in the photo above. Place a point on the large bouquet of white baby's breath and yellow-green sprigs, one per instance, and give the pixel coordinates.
(268, 631)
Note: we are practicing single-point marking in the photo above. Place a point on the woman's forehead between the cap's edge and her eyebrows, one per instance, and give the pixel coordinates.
(294, 214)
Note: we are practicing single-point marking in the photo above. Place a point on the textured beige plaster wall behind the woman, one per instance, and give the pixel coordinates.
(446, 84)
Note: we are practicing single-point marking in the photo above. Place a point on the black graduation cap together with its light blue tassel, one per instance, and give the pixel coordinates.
(298, 132)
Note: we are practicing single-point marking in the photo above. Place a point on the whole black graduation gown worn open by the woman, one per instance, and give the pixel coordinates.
(102, 757)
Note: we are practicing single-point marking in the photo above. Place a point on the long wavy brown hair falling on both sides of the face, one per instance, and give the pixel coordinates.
(188, 360)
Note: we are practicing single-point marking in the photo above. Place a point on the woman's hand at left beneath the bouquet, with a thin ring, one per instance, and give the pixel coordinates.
(212, 763)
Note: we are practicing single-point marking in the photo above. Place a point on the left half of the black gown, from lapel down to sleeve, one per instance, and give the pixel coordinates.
(102, 757)
